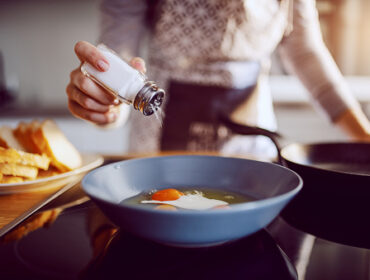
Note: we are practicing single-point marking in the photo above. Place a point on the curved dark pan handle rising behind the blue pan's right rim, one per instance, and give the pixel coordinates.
(242, 129)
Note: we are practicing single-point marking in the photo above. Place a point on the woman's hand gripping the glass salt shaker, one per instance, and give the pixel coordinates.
(86, 99)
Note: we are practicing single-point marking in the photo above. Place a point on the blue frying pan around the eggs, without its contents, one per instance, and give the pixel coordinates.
(109, 185)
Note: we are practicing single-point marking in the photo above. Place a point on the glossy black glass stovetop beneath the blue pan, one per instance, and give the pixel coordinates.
(83, 244)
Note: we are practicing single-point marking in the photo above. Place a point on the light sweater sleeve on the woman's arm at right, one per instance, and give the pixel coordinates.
(304, 54)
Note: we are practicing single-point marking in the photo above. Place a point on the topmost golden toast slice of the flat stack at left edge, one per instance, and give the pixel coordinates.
(23, 158)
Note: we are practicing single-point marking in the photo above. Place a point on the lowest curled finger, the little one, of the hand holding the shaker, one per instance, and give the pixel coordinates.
(99, 118)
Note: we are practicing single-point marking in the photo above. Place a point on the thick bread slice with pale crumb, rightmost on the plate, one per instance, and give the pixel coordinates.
(51, 141)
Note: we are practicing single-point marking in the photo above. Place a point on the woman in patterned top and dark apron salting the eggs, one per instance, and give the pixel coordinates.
(213, 58)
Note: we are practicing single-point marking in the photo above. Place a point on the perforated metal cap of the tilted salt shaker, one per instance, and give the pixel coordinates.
(149, 99)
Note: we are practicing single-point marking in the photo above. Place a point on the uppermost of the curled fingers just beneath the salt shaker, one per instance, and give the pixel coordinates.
(92, 89)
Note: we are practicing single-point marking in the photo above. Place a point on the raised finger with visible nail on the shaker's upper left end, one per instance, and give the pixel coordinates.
(89, 53)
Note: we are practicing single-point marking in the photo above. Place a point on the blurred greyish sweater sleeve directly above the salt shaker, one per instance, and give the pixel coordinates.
(123, 25)
